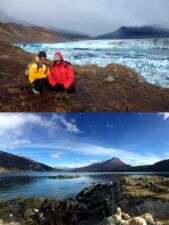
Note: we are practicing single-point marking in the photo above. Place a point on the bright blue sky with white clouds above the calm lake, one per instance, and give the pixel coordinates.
(79, 139)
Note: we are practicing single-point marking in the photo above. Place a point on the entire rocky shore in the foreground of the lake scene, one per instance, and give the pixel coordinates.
(127, 201)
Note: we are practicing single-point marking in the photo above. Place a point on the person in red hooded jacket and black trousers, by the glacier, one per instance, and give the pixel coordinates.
(61, 76)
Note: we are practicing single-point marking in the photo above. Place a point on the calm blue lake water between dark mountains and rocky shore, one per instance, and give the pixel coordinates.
(41, 184)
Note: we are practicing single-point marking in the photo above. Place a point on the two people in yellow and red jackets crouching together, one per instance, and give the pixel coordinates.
(59, 76)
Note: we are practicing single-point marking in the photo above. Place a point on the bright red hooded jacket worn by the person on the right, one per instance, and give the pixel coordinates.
(61, 74)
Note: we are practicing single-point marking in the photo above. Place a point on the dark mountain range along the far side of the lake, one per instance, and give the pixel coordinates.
(12, 163)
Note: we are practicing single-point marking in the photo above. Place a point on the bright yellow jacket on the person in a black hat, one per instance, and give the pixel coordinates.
(37, 71)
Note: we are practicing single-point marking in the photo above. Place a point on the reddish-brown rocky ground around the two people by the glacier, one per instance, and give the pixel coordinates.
(114, 88)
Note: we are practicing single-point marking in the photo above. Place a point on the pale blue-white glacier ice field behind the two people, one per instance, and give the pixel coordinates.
(149, 57)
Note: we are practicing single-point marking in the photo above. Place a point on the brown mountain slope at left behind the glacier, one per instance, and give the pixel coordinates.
(13, 32)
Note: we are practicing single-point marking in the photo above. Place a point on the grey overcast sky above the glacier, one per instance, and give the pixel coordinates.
(92, 17)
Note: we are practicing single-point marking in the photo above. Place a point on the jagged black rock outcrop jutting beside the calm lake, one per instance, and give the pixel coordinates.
(91, 206)
